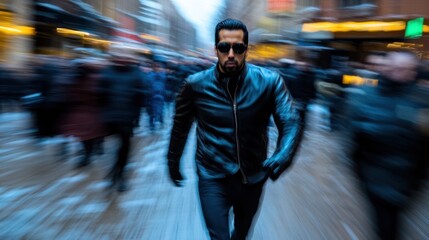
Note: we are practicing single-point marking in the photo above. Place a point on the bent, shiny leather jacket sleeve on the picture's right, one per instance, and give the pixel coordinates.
(289, 126)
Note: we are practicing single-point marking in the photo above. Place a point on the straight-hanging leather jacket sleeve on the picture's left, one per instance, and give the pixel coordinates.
(183, 119)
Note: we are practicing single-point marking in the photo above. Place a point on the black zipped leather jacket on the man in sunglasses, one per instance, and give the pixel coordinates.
(232, 131)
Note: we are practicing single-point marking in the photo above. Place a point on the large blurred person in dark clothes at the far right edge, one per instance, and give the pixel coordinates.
(389, 144)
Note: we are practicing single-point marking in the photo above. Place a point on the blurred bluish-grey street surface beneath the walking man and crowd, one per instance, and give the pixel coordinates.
(43, 196)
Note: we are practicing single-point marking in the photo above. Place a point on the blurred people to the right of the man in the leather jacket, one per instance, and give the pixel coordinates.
(380, 108)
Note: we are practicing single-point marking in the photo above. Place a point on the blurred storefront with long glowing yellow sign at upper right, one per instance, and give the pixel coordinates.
(353, 40)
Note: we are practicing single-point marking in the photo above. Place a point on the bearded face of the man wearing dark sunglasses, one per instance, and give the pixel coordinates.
(231, 61)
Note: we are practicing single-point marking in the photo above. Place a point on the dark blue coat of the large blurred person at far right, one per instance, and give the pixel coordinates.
(389, 149)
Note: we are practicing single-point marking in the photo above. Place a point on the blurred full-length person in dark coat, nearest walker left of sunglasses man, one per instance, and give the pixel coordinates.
(121, 93)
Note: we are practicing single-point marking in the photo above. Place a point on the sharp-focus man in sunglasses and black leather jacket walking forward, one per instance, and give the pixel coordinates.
(232, 103)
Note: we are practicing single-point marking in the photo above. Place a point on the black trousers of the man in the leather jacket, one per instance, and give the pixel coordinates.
(217, 196)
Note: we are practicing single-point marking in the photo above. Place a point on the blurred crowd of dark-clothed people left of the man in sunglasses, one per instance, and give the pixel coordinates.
(89, 98)
